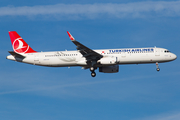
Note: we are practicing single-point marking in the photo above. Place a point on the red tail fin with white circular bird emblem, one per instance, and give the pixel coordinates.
(18, 44)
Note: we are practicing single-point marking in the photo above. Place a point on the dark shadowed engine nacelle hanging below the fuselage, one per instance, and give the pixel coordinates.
(109, 69)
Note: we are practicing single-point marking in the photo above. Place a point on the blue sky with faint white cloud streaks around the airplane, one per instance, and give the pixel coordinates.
(137, 92)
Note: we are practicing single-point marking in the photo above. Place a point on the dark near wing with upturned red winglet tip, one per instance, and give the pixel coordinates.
(89, 54)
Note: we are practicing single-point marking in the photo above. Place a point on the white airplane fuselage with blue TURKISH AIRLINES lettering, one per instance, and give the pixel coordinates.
(75, 58)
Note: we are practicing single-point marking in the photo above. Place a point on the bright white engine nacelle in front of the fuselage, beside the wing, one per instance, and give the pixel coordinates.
(108, 60)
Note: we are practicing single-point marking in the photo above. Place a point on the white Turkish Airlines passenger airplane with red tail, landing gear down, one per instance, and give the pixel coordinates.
(107, 60)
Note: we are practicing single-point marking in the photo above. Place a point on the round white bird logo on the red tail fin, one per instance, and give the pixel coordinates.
(19, 46)
